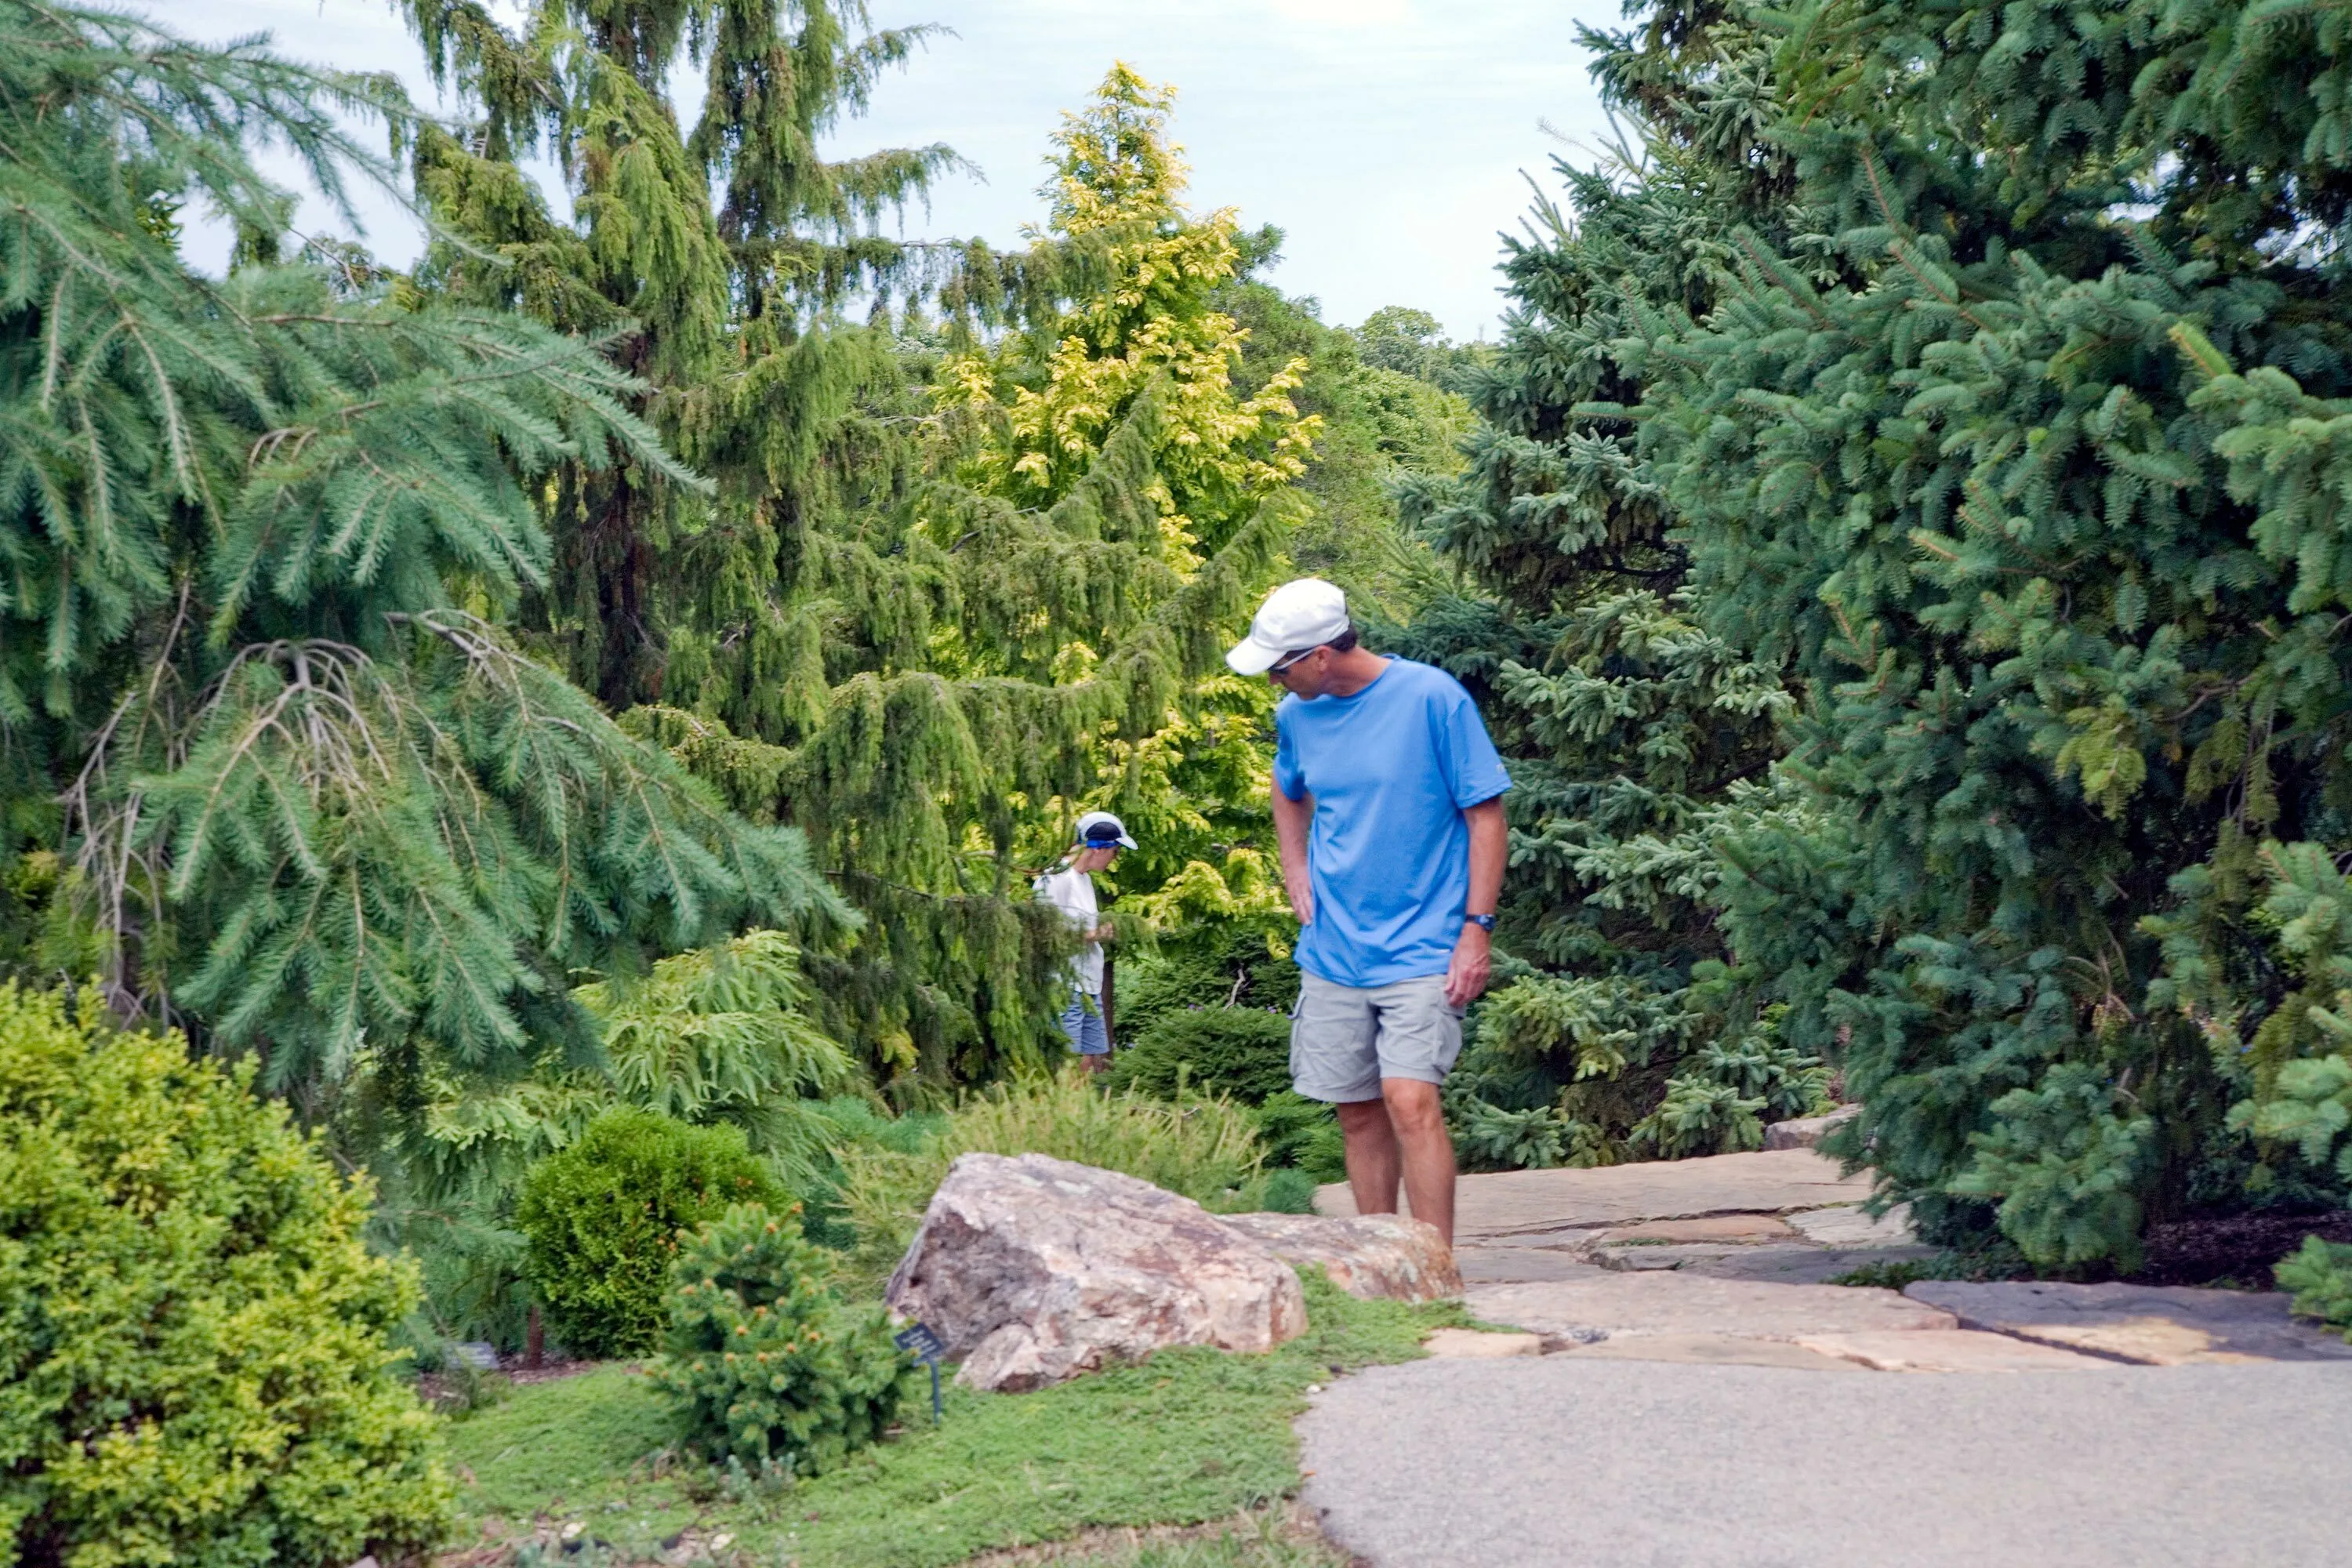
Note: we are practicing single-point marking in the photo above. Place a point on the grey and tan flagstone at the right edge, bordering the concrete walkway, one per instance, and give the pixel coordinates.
(2151, 1325)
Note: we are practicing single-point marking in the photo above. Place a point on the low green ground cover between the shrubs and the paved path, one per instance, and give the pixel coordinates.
(1187, 1438)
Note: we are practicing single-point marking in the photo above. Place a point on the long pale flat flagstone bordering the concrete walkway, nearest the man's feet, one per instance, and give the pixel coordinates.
(1605, 1306)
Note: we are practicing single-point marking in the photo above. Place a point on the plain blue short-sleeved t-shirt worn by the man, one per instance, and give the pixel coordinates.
(1391, 770)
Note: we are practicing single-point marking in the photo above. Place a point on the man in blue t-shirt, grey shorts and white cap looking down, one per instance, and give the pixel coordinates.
(1389, 808)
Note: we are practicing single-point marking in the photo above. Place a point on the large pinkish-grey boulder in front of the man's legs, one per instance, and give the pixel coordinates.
(1034, 1271)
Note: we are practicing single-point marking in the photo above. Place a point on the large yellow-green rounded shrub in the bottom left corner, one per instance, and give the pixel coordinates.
(192, 1336)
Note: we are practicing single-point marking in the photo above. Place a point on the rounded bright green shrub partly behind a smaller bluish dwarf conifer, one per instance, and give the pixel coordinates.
(601, 1221)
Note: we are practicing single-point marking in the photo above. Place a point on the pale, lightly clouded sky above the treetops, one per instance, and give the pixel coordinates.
(1389, 140)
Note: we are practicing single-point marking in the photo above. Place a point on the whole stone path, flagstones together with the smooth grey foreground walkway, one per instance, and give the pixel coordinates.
(1655, 1398)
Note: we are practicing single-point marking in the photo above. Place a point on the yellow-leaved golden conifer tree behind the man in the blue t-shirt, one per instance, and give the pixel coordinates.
(1043, 403)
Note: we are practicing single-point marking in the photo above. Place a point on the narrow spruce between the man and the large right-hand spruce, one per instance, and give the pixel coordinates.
(1636, 737)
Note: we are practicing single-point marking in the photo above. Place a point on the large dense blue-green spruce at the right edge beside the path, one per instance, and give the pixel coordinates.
(2017, 455)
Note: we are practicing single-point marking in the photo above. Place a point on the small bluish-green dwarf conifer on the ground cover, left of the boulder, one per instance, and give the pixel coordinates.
(766, 1365)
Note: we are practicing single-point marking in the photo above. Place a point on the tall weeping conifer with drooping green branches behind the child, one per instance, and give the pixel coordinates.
(838, 636)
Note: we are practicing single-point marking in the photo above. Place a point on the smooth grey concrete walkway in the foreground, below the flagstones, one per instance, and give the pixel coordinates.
(1598, 1463)
